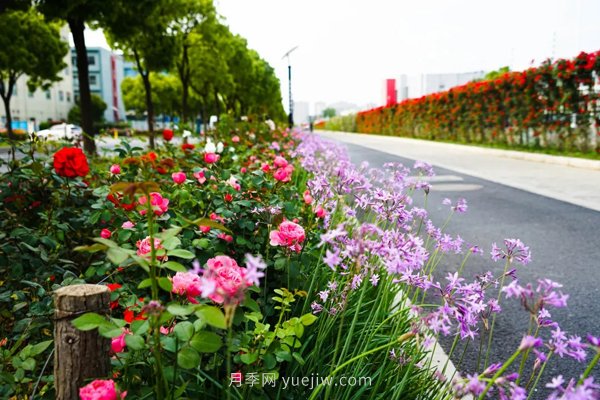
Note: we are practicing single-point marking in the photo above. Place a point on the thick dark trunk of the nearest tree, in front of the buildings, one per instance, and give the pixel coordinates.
(85, 97)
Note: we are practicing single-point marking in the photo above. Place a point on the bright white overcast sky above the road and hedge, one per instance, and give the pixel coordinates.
(347, 48)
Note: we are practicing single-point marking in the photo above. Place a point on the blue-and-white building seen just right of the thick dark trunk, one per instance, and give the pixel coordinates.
(106, 72)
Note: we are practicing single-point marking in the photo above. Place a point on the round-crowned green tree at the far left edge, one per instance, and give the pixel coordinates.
(28, 46)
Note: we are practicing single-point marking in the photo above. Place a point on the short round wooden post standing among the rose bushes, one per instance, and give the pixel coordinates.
(78, 355)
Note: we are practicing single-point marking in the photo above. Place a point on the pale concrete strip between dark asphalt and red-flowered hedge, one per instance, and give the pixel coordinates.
(572, 180)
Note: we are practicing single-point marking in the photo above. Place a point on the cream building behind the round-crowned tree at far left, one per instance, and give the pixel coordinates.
(28, 109)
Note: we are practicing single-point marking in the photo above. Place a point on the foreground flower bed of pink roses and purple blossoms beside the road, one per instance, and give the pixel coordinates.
(260, 265)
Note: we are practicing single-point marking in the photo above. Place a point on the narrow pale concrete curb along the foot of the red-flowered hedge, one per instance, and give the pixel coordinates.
(518, 155)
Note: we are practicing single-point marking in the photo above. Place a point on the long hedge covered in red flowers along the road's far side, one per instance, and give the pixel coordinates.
(553, 106)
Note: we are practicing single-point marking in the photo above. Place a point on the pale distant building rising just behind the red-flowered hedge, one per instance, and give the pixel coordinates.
(413, 86)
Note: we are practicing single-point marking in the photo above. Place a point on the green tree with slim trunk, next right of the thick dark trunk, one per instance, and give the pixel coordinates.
(140, 30)
